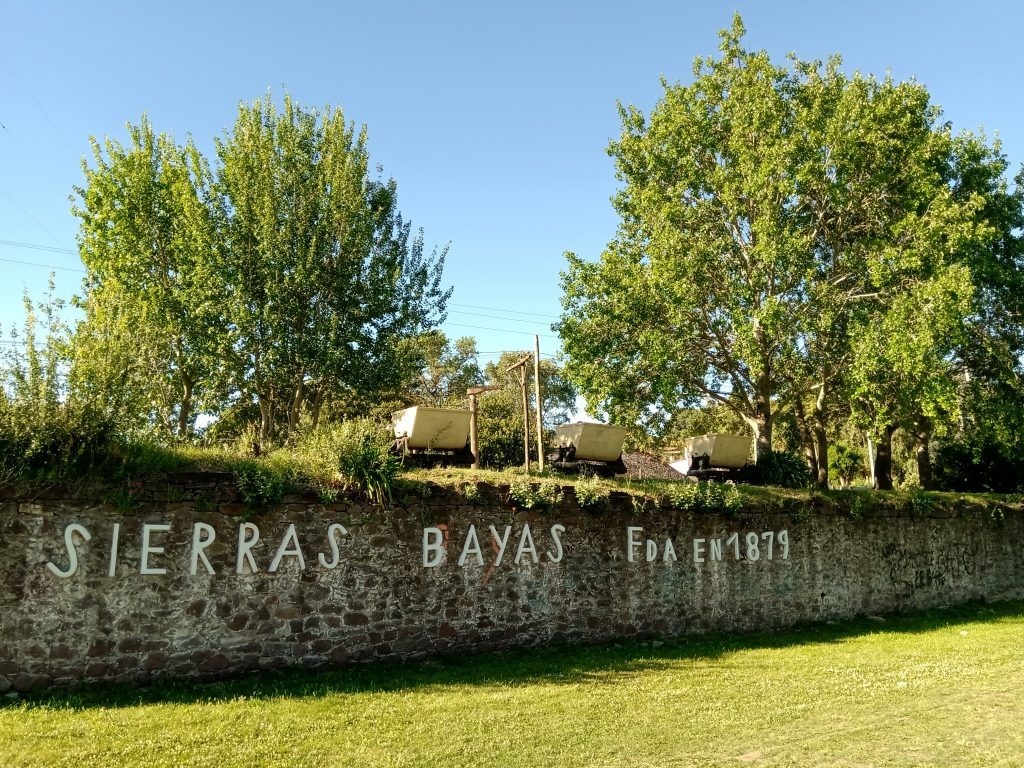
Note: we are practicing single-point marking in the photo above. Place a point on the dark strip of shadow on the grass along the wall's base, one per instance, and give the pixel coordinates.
(563, 665)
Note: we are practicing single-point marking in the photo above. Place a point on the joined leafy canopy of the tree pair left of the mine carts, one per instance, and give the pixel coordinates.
(281, 281)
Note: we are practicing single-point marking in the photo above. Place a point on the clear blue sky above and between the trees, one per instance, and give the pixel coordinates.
(494, 118)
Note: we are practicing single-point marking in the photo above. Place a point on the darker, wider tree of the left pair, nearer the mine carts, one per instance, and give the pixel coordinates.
(326, 280)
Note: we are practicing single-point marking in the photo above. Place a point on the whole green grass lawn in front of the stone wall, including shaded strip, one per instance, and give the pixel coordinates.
(942, 689)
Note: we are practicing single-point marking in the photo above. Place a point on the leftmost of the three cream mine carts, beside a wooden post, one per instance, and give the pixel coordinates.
(433, 437)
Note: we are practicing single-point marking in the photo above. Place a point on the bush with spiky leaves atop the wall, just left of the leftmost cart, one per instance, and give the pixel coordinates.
(352, 454)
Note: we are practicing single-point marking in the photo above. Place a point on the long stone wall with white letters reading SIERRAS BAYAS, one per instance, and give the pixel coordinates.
(91, 593)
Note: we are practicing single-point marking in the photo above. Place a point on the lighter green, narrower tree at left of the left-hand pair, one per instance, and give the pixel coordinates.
(152, 296)
